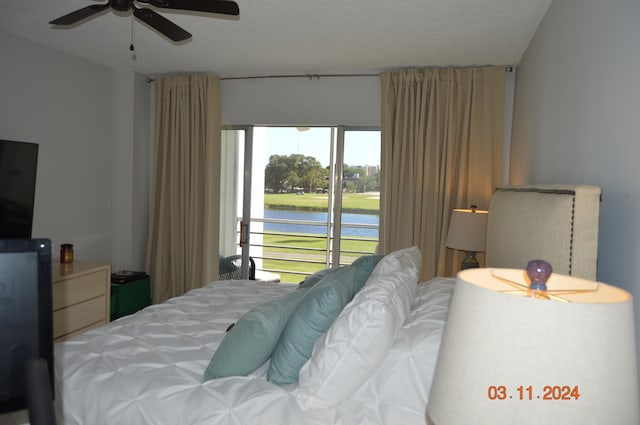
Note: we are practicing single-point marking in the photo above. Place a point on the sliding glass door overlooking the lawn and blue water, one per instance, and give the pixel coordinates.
(310, 197)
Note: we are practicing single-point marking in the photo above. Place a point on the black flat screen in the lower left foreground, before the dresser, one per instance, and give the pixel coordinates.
(26, 321)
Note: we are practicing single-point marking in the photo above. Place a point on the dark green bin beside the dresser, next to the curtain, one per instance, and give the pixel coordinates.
(130, 292)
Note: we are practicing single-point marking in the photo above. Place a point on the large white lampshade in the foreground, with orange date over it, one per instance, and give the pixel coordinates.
(502, 352)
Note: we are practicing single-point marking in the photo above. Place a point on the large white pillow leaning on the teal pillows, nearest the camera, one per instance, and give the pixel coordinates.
(362, 334)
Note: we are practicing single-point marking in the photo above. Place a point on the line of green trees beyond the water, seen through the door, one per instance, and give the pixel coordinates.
(296, 172)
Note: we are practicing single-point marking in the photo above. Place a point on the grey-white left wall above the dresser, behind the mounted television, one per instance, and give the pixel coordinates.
(66, 105)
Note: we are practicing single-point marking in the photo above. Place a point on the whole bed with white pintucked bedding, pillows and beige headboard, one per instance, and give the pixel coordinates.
(372, 363)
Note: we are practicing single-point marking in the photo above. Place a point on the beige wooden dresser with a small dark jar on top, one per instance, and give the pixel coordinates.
(81, 292)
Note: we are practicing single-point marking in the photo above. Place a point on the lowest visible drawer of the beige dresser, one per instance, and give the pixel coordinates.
(78, 317)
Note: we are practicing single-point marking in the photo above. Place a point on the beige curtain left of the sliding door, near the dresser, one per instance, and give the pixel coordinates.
(182, 248)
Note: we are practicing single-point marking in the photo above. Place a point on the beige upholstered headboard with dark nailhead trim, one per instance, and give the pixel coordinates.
(555, 223)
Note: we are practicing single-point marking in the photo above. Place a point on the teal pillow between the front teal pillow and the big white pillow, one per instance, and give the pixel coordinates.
(313, 316)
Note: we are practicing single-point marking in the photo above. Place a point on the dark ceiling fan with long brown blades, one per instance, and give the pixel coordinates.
(150, 16)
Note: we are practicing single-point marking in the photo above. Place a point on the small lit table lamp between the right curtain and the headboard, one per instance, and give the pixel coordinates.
(467, 232)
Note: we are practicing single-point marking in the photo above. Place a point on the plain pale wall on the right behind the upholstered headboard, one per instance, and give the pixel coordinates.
(577, 120)
